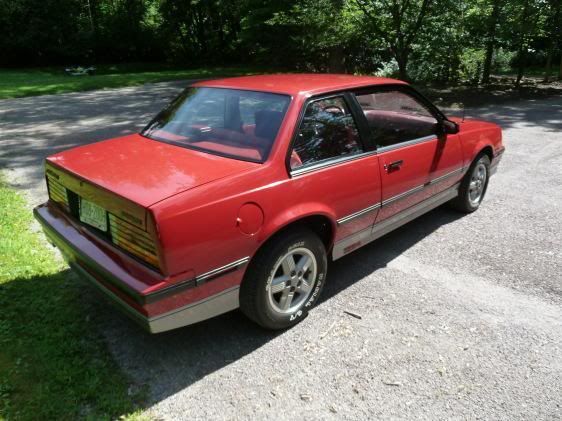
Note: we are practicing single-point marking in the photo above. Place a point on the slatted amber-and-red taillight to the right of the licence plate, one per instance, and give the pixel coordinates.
(133, 240)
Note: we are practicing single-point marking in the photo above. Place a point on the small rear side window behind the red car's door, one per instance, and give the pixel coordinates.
(327, 131)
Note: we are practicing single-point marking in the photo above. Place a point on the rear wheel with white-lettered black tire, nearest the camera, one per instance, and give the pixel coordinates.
(277, 294)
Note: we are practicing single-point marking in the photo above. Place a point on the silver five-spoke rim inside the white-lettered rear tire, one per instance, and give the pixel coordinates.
(292, 280)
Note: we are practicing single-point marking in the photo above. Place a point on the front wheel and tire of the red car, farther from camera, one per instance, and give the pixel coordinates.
(473, 186)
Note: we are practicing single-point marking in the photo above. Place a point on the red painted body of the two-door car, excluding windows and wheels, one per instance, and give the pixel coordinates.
(206, 215)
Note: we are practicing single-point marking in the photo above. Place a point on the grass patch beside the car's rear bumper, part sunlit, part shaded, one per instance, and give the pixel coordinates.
(53, 361)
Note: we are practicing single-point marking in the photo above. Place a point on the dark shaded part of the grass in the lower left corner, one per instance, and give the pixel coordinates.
(53, 359)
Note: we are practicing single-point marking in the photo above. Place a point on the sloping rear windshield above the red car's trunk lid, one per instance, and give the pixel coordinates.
(228, 122)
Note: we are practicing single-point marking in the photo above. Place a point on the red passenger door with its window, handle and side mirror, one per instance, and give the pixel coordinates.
(409, 149)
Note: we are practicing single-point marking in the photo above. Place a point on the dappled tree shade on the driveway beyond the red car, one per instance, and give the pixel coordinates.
(35, 127)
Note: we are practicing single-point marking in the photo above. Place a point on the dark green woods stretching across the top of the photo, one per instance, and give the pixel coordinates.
(429, 40)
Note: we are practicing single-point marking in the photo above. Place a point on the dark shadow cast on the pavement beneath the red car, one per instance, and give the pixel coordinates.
(172, 361)
